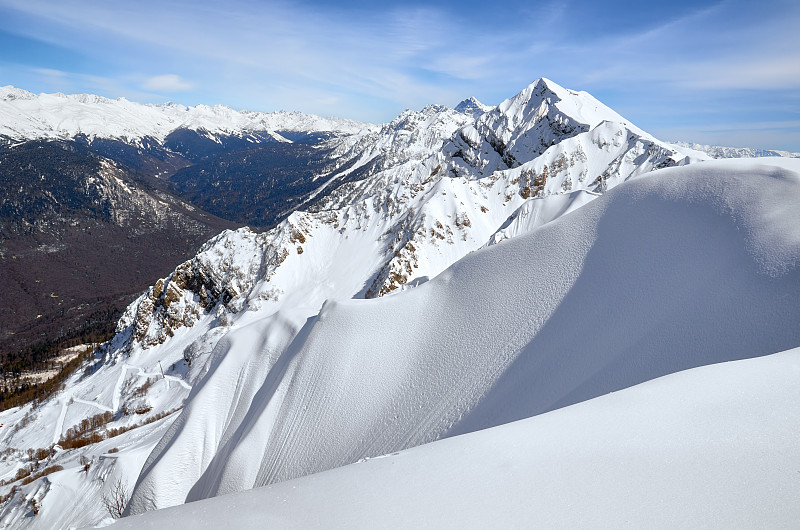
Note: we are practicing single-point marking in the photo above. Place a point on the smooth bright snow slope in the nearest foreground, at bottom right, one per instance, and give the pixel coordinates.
(712, 447)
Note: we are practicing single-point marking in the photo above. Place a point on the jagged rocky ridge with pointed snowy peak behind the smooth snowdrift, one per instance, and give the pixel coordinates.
(429, 182)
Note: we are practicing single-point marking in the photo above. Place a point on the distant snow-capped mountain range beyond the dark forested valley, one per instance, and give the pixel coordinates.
(26, 116)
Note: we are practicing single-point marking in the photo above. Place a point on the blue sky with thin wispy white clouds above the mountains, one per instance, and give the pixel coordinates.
(723, 73)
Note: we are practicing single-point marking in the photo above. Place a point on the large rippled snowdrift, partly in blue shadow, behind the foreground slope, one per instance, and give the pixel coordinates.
(676, 269)
